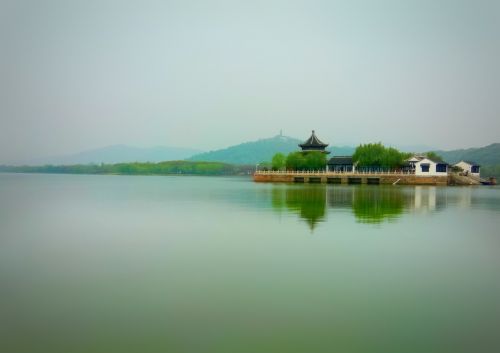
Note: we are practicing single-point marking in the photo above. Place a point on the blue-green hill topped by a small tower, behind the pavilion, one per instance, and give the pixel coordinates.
(259, 151)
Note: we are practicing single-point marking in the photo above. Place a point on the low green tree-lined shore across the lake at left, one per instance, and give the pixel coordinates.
(162, 168)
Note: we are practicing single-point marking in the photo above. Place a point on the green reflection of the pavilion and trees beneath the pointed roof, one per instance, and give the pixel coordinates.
(307, 201)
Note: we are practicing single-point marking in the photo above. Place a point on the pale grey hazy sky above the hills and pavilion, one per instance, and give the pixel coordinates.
(206, 74)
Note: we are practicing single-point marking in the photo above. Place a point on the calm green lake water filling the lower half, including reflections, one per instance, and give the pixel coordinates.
(206, 264)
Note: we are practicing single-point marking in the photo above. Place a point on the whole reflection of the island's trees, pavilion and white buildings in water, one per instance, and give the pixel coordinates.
(368, 204)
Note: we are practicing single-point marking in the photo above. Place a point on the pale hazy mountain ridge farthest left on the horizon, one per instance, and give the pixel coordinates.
(118, 154)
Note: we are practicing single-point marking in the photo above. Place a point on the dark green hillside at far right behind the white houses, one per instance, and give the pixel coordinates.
(488, 155)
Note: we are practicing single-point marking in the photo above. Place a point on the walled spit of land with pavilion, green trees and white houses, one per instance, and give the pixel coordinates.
(370, 164)
